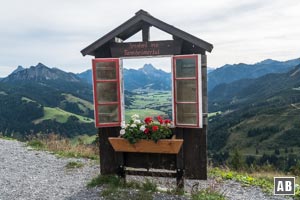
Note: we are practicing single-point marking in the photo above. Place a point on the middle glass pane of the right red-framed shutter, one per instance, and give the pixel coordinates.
(186, 91)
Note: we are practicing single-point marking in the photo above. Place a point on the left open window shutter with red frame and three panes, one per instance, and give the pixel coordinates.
(106, 85)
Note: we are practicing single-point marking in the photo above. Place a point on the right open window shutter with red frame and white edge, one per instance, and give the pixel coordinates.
(187, 91)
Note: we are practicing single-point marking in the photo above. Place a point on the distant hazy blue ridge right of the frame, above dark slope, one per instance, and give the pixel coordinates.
(231, 73)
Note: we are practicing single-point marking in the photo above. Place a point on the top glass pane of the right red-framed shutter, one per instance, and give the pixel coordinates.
(185, 67)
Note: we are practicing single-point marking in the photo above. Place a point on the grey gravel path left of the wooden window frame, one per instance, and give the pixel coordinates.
(29, 174)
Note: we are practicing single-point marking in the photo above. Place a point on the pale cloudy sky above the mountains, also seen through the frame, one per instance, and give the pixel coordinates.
(54, 32)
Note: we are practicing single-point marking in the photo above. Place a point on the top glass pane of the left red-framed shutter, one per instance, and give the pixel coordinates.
(106, 70)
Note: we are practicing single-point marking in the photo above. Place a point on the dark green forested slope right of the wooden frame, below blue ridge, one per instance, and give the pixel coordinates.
(258, 115)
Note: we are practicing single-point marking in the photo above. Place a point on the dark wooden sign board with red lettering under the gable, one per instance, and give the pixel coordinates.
(133, 49)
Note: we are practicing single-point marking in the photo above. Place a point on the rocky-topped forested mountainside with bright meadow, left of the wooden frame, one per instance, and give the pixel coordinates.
(43, 99)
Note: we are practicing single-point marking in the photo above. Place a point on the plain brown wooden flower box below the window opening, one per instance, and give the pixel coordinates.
(167, 146)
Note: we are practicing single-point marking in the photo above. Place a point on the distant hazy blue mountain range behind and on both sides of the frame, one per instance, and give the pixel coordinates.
(148, 77)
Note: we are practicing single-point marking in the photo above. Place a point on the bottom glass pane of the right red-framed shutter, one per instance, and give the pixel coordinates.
(186, 114)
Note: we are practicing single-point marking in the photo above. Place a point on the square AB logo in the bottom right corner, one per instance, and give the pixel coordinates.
(284, 185)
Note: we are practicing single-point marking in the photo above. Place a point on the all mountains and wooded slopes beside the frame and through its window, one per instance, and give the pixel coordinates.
(253, 107)
